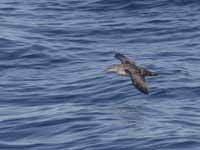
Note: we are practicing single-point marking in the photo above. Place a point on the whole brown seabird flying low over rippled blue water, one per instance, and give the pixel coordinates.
(129, 68)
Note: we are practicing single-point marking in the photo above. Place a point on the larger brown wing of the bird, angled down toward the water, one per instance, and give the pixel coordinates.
(138, 80)
